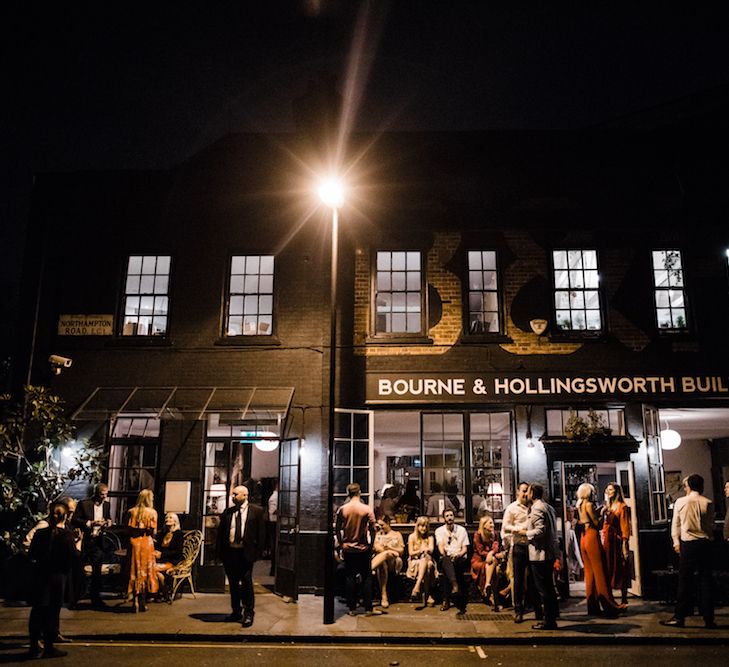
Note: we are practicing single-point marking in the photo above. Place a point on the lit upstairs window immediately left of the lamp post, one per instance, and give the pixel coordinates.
(250, 296)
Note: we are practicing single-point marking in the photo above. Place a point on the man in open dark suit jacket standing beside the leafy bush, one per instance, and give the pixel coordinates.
(92, 516)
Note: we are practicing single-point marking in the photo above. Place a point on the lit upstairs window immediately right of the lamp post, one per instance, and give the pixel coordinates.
(399, 293)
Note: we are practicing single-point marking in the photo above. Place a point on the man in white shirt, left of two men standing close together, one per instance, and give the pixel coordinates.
(513, 534)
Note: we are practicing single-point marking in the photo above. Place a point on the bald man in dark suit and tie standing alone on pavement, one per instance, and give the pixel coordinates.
(241, 537)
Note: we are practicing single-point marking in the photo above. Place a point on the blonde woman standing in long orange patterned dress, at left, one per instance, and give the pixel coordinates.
(142, 571)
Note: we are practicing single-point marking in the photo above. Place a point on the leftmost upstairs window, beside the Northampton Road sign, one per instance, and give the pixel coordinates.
(146, 300)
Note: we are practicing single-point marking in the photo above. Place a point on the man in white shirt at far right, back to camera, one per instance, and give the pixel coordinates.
(692, 531)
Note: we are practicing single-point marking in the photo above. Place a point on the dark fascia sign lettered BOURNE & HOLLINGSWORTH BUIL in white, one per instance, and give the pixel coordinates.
(494, 387)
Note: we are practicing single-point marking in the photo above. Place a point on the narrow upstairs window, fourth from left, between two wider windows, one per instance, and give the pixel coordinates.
(483, 293)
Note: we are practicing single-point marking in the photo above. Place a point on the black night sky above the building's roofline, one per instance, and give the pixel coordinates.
(108, 84)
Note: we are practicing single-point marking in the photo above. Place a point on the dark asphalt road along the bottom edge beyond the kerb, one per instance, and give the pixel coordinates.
(111, 654)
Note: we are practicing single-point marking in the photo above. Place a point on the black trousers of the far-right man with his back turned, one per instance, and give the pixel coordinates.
(694, 571)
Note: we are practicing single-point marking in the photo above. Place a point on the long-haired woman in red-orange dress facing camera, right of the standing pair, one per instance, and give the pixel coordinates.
(615, 535)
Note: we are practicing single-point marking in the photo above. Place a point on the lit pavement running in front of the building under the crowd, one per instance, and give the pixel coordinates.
(202, 620)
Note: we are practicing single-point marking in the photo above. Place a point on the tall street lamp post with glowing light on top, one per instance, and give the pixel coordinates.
(331, 193)
